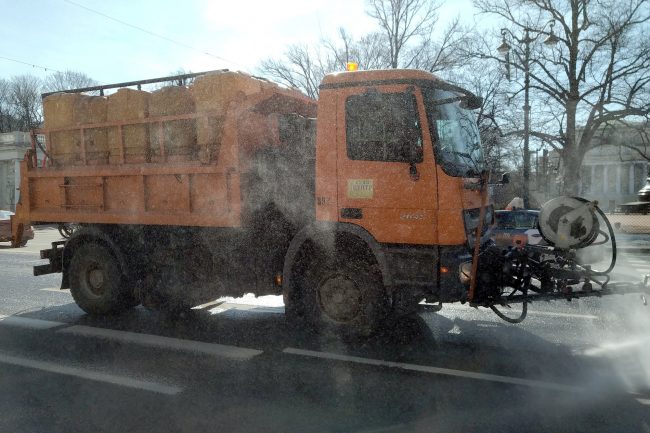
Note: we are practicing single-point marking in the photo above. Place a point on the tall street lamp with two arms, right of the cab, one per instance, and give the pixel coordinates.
(504, 49)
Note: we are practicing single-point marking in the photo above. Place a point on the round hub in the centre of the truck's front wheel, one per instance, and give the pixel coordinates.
(340, 298)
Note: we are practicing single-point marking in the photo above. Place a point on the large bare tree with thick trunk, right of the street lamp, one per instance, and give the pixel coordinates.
(598, 74)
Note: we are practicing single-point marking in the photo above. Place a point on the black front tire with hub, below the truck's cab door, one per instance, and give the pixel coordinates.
(346, 298)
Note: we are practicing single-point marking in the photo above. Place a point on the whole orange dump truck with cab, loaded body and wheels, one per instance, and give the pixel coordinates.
(362, 203)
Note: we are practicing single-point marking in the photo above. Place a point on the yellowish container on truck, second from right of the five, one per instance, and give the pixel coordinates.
(179, 136)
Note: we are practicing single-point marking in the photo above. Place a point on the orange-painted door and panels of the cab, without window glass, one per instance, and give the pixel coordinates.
(395, 207)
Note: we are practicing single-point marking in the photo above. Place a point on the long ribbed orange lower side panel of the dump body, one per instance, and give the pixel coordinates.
(164, 195)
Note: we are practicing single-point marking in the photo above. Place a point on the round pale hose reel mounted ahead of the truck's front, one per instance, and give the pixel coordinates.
(568, 222)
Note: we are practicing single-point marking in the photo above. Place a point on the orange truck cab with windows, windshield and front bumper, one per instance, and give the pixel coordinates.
(398, 175)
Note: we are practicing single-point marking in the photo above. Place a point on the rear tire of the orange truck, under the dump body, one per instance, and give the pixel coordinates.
(96, 281)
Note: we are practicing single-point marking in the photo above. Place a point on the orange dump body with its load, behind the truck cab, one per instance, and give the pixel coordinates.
(202, 186)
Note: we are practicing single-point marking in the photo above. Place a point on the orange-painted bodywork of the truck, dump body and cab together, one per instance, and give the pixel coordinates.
(396, 201)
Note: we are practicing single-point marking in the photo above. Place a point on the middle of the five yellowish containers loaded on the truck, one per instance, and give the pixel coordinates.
(124, 105)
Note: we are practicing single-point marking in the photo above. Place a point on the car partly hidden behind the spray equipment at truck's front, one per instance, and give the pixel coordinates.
(516, 227)
